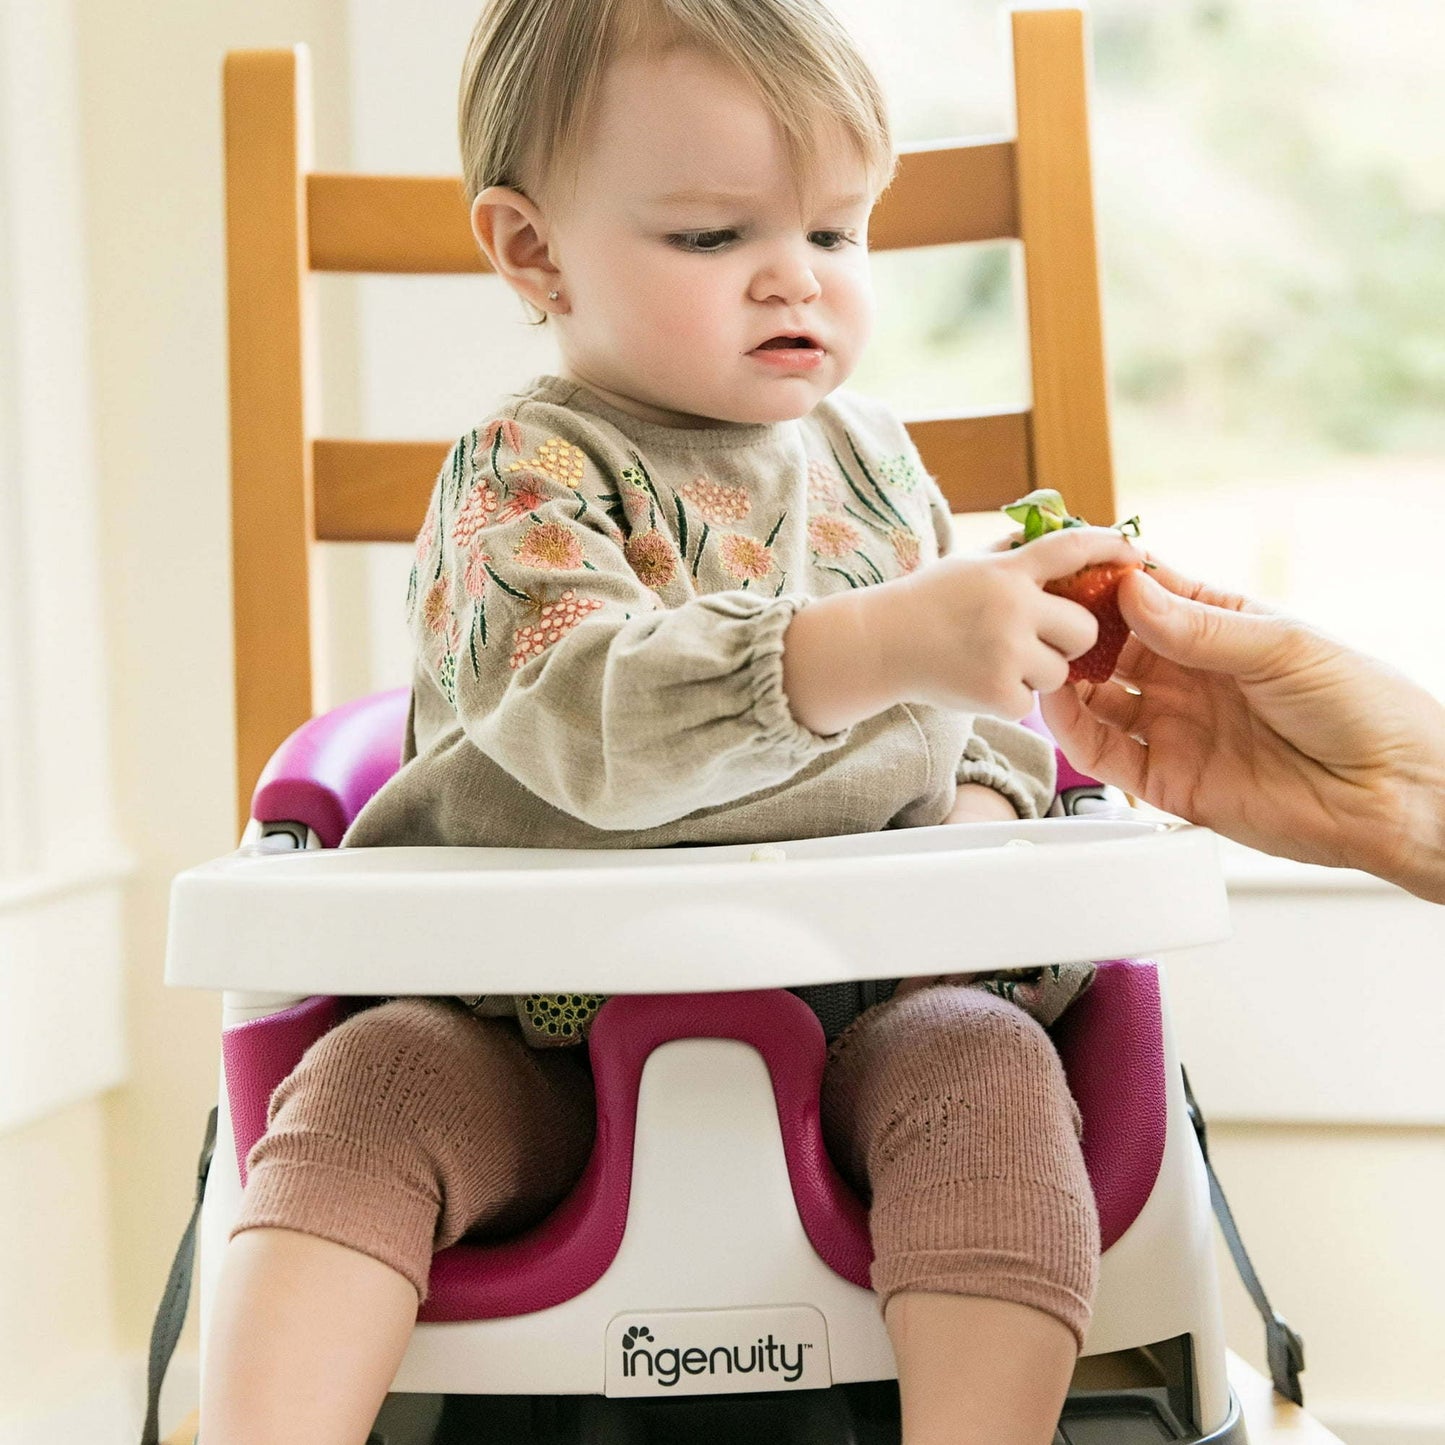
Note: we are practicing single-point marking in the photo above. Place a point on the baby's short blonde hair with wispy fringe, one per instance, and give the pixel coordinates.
(534, 72)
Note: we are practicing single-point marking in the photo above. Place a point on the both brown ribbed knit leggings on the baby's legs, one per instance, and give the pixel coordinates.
(415, 1123)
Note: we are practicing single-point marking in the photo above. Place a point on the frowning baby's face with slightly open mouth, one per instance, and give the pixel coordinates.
(686, 251)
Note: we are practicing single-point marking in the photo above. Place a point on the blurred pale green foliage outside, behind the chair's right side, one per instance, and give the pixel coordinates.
(1271, 183)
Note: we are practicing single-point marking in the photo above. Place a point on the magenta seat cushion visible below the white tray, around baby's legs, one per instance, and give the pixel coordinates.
(1110, 1041)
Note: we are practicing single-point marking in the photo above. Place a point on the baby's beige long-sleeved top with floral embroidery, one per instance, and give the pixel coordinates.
(599, 608)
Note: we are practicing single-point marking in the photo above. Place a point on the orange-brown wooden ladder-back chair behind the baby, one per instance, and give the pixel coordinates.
(287, 222)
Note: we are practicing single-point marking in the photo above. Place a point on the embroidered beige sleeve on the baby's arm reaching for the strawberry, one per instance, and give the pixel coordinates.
(547, 612)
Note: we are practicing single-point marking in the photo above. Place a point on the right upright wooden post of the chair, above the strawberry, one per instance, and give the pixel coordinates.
(1070, 440)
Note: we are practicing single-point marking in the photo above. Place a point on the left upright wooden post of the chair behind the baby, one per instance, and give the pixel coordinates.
(274, 394)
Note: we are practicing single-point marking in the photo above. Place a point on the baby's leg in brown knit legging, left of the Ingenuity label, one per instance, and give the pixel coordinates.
(401, 1131)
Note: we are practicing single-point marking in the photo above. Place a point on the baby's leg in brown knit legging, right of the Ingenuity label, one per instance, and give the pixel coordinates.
(950, 1108)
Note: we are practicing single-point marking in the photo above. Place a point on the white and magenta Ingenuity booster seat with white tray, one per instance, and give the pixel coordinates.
(712, 1248)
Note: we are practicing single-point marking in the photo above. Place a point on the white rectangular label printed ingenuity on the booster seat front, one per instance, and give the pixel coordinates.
(717, 1352)
